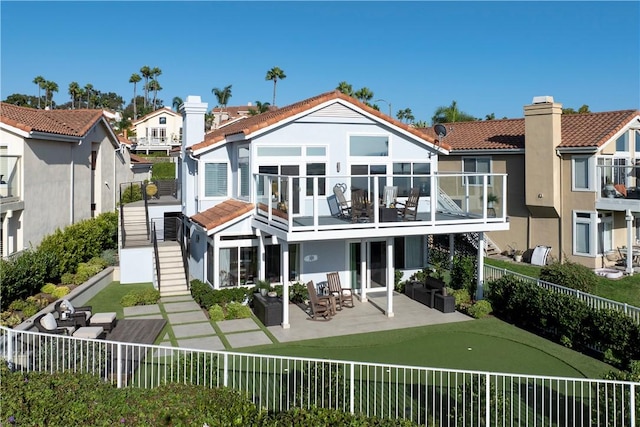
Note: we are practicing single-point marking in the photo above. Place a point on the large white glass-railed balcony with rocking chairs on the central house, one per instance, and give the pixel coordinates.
(306, 208)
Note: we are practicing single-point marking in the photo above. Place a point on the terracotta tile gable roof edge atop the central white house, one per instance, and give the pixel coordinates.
(270, 118)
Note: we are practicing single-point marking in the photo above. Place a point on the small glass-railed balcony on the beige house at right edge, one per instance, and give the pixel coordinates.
(618, 185)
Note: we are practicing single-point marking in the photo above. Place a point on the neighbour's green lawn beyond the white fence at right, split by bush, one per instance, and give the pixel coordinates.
(626, 289)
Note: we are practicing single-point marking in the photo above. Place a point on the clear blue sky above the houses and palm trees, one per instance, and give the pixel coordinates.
(490, 57)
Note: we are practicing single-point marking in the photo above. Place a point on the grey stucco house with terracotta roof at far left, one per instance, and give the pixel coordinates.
(57, 167)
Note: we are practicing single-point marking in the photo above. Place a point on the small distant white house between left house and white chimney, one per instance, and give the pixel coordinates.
(159, 130)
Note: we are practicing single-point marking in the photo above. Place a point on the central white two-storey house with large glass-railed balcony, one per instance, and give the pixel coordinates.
(259, 201)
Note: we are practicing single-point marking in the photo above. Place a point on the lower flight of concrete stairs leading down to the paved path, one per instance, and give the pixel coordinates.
(172, 276)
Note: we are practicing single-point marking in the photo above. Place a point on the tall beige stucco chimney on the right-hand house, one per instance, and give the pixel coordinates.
(542, 135)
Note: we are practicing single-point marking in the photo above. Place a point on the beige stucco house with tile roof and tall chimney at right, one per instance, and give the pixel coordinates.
(573, 179)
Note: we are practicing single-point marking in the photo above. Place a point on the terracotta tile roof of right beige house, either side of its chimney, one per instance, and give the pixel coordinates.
(578, 130)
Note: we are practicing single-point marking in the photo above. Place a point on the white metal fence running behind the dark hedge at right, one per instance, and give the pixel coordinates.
(495, 273)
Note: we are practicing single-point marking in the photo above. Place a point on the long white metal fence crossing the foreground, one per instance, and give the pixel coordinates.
(427, 396)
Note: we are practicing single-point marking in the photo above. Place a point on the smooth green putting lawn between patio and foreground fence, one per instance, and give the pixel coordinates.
(488, 345)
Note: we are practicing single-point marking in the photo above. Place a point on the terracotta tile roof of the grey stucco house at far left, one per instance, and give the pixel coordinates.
(60, 122)
